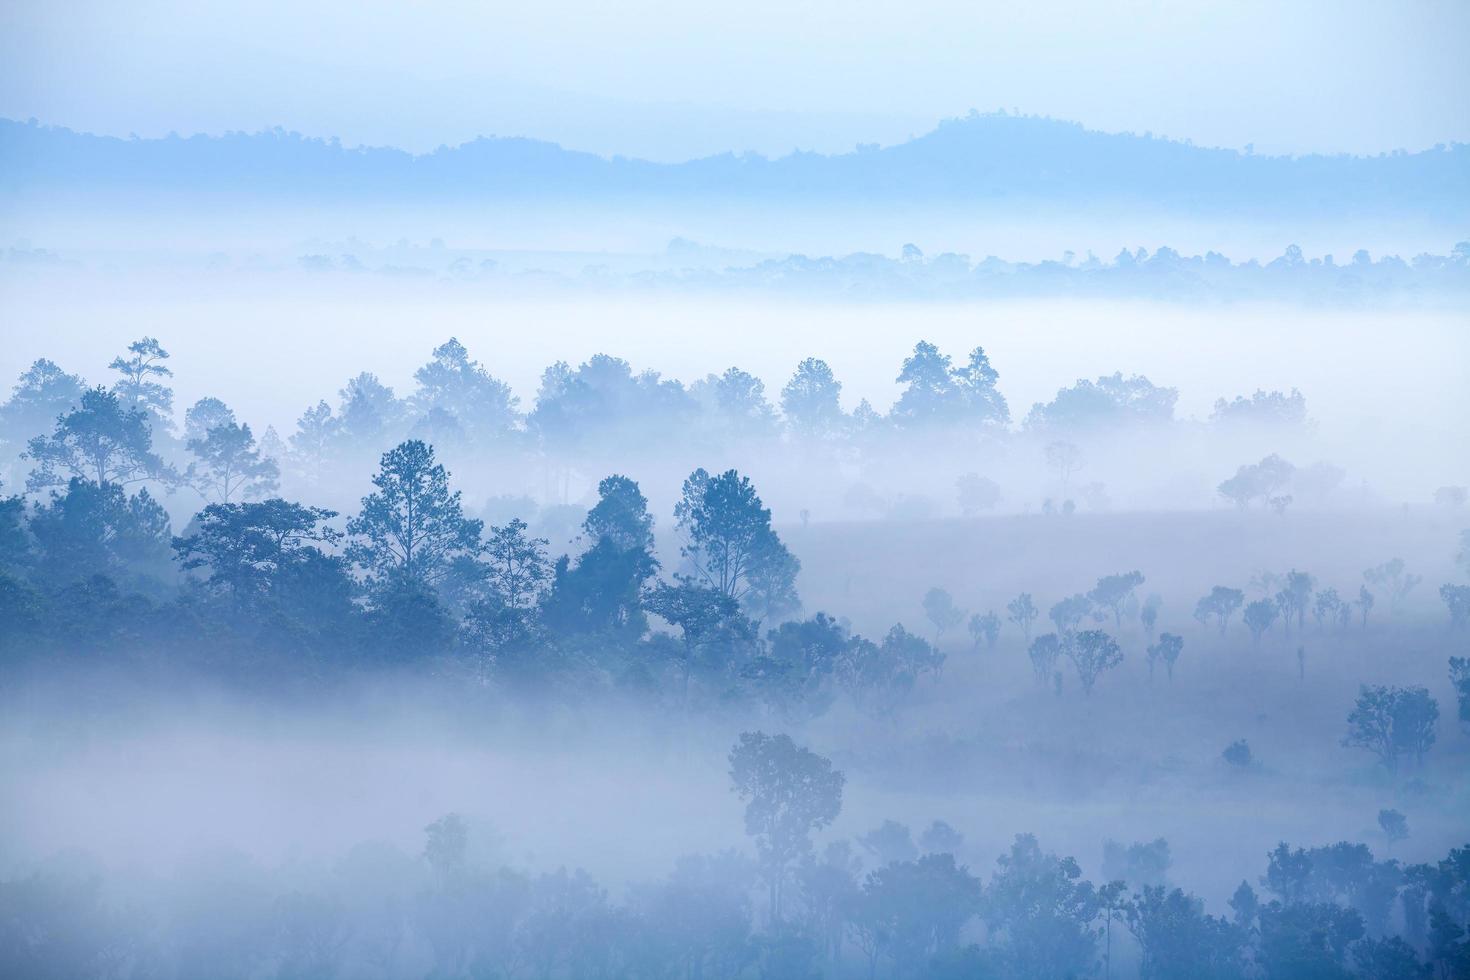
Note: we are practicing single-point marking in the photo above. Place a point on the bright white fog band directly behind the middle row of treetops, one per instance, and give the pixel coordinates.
(1384, 387)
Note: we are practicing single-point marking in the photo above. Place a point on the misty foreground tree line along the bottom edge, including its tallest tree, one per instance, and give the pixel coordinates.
(883, 904)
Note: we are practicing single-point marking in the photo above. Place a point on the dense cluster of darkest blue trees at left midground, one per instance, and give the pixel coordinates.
(284, 590)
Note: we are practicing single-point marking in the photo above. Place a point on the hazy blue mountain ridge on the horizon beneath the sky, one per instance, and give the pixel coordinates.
(987, 159)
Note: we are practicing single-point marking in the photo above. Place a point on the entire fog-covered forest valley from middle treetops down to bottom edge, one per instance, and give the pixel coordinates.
(972, 718)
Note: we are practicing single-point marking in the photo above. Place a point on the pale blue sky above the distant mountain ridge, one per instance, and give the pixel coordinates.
(670, 80)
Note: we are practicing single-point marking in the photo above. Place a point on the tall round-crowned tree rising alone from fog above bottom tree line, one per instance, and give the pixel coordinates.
(789, 794)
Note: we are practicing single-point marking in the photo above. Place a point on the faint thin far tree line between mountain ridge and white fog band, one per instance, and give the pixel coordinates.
(1166, 274)
